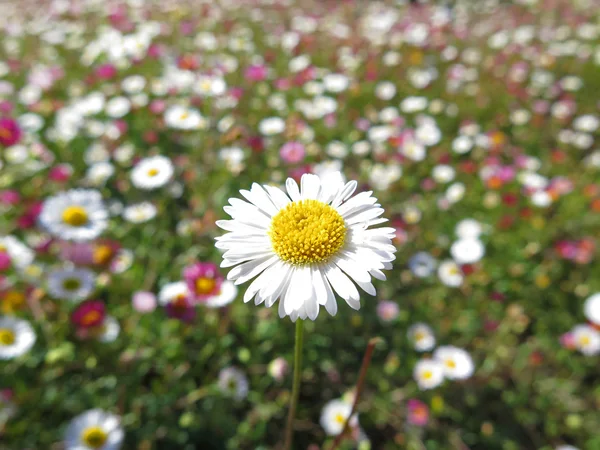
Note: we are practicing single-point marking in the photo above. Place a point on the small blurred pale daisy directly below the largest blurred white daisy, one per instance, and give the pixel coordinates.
(71, 284)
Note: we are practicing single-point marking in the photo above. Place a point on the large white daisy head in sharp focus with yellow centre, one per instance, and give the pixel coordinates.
(306, 245)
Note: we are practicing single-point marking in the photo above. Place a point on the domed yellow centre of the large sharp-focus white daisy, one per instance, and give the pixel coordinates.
(307, 232)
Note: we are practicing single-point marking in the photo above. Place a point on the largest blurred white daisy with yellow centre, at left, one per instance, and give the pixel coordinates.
(78, 215)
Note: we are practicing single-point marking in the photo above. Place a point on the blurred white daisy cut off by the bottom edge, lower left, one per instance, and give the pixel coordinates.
(94, 430)
